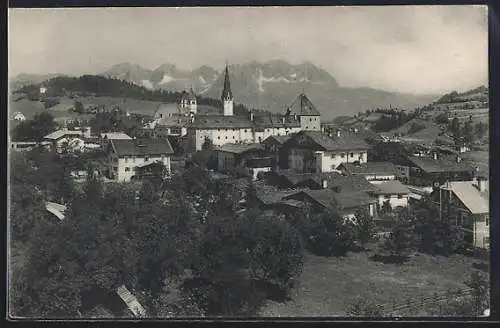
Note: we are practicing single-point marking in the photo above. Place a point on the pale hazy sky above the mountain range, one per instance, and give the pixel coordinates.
(413, 49)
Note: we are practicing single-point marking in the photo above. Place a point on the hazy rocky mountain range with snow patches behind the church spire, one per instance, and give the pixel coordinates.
(271, 85)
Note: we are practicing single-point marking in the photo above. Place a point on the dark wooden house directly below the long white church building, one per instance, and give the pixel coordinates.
(251, 157)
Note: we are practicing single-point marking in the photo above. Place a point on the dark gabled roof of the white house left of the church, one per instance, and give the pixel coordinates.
(141, 147)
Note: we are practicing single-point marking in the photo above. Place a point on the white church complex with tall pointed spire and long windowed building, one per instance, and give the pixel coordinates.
(225, 127)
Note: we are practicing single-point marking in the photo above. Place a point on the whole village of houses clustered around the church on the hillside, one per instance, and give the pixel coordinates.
(292, 160)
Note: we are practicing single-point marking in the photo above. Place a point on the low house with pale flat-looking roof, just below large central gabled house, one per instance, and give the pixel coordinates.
(371, 171)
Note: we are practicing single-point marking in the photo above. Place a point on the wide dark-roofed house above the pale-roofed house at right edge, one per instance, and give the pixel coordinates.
(432, 170)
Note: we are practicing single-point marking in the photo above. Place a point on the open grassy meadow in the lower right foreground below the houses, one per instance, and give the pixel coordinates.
(328, 285)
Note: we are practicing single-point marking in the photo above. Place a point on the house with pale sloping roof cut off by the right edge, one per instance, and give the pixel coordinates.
(466, 204)
